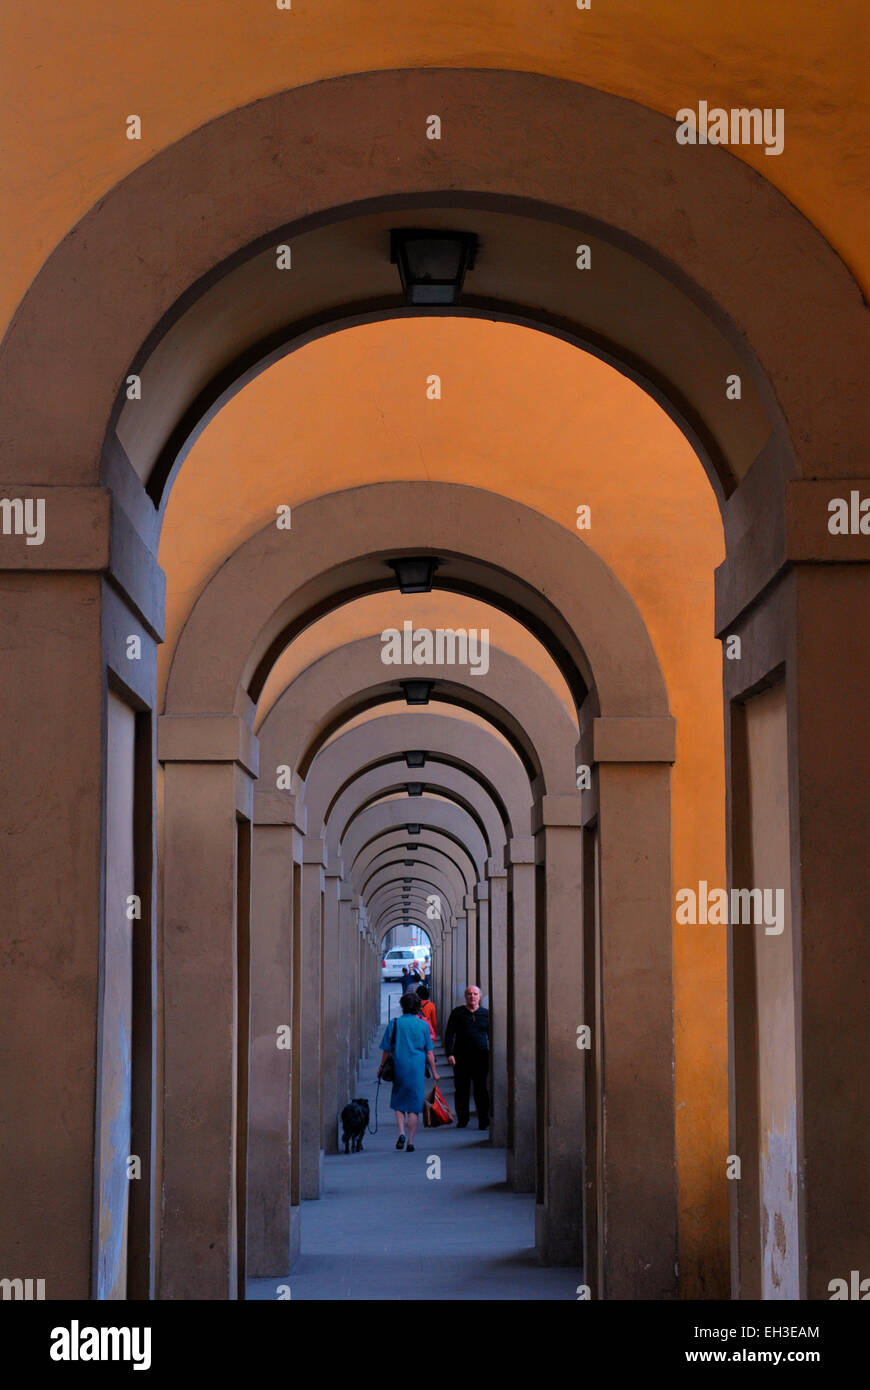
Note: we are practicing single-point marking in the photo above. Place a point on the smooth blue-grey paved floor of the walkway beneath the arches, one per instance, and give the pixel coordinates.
(383, 1229)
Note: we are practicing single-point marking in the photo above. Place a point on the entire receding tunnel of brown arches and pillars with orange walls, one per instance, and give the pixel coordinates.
(244, 765)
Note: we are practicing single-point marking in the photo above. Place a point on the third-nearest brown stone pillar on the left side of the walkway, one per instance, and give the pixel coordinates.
(273, 1186)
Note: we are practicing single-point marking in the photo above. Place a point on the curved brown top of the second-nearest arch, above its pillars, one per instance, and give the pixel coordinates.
(491, 547)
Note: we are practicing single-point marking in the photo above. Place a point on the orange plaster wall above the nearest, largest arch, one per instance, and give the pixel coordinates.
(72, 74)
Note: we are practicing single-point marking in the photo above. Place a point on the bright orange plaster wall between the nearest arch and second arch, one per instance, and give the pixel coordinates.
(539, 420)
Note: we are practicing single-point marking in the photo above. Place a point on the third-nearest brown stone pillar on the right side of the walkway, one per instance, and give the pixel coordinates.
(559, 1065)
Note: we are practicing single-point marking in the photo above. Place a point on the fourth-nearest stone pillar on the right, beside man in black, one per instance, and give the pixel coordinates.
(520, 857)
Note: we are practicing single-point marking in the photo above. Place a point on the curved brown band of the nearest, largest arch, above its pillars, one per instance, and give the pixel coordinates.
(379, 161)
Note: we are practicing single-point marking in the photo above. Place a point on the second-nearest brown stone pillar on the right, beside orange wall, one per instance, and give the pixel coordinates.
(634, 1032)
